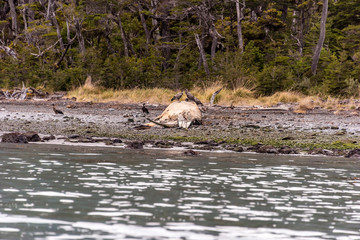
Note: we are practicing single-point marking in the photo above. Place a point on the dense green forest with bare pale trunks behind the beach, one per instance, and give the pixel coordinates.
(310, 46)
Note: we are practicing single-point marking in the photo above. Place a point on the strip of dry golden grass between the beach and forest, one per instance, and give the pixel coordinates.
(227, 97)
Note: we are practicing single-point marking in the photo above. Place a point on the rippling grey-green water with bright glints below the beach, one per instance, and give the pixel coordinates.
(63, 192)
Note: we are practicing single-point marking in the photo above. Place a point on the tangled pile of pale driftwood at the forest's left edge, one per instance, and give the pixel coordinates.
(22, 94)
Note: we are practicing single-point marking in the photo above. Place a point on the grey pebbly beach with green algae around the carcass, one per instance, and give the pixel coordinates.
(276, 130)
